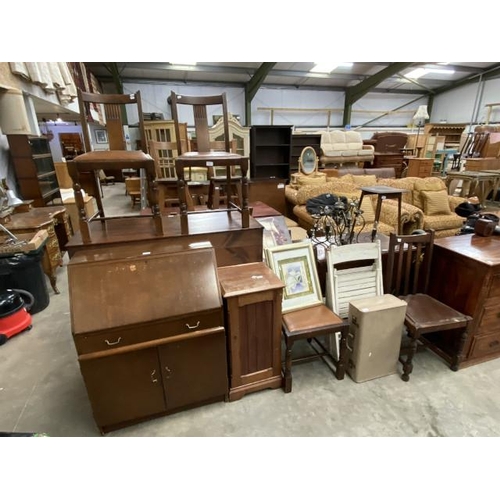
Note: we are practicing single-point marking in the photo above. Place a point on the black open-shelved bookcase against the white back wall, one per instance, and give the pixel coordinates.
(270, 151)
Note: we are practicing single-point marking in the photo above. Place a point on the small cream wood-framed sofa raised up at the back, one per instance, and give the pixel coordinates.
(339, 146)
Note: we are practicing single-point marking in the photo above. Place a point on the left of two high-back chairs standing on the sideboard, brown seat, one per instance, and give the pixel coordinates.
(111, 109)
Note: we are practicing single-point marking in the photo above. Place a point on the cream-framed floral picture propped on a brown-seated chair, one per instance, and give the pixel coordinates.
(294, 264)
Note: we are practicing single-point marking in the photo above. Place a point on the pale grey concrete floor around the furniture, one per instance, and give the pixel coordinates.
(41, 390)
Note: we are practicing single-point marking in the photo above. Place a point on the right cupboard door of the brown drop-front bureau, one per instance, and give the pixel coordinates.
(194, 370)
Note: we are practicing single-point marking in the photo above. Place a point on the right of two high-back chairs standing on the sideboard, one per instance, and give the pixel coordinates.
(205, 156)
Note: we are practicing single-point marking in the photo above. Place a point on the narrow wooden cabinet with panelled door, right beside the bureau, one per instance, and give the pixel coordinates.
(252, 296)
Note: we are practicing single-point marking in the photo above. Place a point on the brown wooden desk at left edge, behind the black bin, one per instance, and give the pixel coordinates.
(56, 222)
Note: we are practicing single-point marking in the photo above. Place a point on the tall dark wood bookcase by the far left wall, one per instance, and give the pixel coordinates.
(34, 167)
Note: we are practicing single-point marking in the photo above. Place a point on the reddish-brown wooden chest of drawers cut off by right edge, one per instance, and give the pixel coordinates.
(468, 267)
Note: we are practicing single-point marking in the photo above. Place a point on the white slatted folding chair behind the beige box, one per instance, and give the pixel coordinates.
(353, 272)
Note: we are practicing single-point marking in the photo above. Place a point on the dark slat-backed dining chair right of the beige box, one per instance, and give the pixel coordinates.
(407, 276)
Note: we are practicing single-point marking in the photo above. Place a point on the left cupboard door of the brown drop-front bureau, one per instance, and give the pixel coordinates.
(124, 387)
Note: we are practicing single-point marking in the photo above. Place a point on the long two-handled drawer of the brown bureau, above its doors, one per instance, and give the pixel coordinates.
(135, 334)
